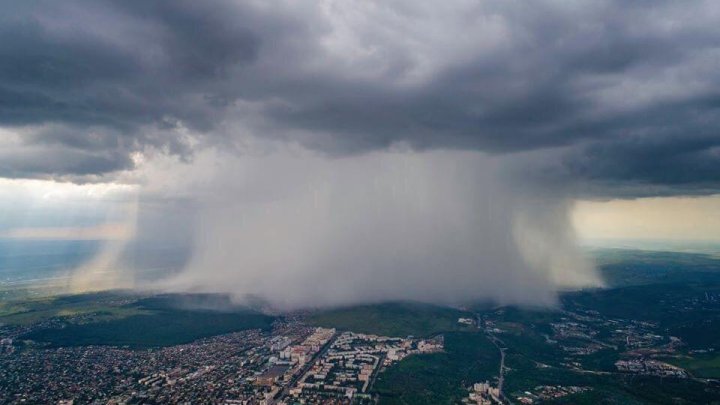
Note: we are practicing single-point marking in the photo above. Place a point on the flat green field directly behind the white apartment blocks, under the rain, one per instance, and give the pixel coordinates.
(392, 319)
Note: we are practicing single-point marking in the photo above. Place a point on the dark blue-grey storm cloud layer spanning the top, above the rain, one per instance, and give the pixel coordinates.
(627, 90)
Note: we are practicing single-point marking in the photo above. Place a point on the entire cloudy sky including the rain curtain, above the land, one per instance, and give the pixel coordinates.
(330, 152)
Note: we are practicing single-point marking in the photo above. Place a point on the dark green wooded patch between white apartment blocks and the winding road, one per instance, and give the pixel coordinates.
(440, 378)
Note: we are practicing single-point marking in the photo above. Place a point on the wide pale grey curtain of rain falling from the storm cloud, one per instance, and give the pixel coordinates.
(304, 230)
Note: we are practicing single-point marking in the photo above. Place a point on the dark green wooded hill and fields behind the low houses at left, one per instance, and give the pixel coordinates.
(118, 319)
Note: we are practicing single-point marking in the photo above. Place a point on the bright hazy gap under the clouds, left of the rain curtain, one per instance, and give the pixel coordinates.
(65, 235)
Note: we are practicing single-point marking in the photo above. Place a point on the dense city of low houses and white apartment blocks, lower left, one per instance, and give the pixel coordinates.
(293, 363)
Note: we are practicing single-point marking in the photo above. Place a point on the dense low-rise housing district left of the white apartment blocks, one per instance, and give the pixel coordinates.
(221, 369)
